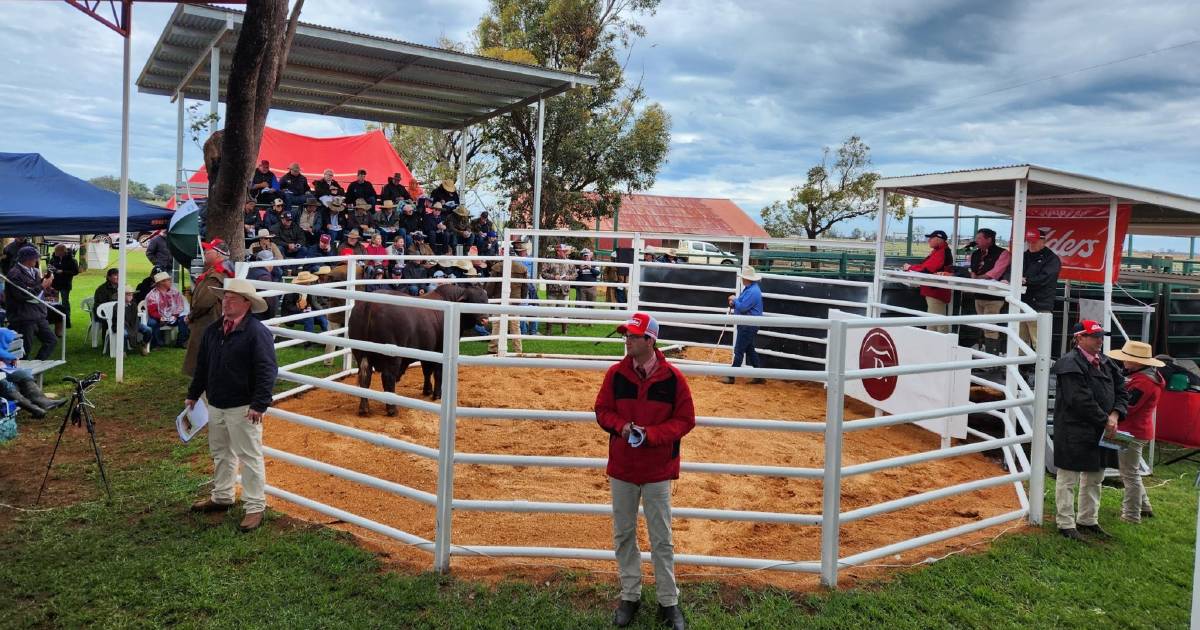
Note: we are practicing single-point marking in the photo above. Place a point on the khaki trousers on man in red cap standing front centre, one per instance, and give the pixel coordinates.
(656, 500)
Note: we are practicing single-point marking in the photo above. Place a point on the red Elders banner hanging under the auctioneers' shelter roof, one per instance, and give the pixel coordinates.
(1078, 235)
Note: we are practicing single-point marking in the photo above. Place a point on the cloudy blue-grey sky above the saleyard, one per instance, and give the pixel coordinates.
(755, 89)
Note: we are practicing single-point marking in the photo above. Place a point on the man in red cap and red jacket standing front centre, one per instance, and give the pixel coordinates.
(646, 407)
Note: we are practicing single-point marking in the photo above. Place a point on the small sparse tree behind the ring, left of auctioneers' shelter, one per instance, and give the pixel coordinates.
(833, 193)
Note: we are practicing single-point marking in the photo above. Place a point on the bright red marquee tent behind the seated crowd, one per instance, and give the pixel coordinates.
(344, 154)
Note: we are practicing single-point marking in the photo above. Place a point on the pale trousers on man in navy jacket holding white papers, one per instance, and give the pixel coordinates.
(233, 440)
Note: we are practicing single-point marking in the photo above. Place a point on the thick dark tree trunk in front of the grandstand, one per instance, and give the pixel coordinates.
(257, 64)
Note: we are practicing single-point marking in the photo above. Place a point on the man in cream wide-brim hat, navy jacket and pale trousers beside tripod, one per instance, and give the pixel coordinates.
(236, 373)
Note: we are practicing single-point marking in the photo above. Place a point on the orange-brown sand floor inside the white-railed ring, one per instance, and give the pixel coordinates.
(575, 391)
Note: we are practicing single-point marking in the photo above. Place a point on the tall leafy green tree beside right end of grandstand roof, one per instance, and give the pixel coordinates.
(599, 142)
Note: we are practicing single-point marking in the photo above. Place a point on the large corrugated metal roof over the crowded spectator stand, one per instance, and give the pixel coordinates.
(350, 75)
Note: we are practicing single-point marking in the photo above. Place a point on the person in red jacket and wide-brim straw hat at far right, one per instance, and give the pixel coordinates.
(1144, 387)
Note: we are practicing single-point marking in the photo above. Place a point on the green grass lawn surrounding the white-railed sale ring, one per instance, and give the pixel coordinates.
(146, 561)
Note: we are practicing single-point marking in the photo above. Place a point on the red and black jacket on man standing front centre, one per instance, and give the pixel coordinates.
(661, 404)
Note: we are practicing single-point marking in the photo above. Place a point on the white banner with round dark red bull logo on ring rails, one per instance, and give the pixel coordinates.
(886, 347)
